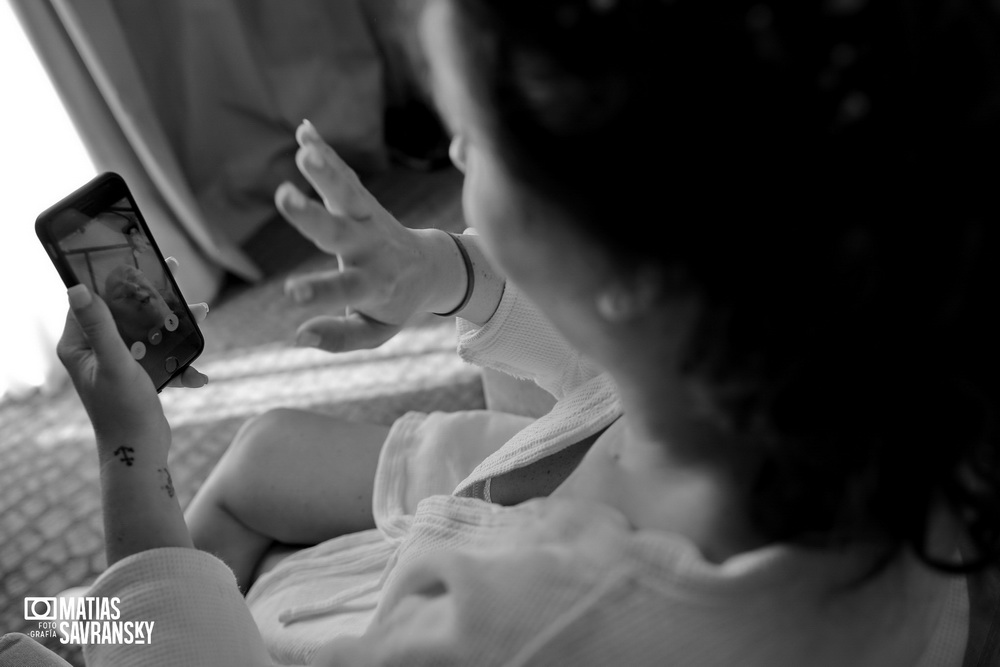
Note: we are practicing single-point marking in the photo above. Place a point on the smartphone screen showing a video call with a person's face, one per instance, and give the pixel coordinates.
(108, 251)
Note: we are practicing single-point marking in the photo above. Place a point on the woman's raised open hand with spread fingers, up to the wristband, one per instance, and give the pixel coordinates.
(387, 272)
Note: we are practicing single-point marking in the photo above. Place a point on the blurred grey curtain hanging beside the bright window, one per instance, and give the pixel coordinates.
(195, 103)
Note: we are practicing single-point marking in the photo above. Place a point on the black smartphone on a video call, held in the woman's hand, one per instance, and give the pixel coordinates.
(98, 237)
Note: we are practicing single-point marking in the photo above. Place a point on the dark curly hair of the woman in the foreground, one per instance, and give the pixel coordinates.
(823, 175)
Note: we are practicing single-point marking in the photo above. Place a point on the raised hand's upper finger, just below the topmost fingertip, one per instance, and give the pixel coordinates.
(333, 179)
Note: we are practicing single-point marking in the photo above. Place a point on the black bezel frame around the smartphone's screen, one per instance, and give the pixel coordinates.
(100, 194)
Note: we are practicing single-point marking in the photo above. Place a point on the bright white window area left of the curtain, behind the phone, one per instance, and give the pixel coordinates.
(43, 159)
